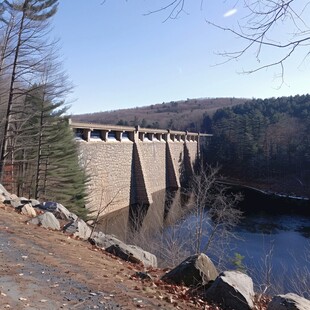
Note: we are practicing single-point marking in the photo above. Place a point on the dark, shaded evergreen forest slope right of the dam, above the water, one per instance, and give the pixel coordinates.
(262, 139)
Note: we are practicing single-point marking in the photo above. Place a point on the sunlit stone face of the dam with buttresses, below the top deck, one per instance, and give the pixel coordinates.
(127, 172)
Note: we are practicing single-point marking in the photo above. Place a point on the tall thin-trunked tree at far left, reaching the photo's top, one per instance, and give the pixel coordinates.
(25, 28)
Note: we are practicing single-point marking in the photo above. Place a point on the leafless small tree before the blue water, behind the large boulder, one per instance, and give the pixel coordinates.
(216, 214)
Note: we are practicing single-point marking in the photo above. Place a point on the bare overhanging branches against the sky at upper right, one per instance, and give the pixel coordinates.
(262, 26)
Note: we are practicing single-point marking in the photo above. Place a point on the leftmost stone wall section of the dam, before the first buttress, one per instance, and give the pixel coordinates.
(109, 168)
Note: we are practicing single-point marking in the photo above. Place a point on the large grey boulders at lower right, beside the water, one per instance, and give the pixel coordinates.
(230, 289)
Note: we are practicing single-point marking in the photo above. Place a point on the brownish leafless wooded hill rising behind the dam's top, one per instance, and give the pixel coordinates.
(177, 115)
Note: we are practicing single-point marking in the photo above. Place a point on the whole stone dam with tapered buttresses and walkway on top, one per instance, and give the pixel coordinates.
(127, 165)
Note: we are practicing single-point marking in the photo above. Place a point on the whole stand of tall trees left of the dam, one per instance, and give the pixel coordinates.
(38, 153)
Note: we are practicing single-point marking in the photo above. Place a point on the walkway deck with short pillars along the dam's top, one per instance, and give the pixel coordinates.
(111, 133)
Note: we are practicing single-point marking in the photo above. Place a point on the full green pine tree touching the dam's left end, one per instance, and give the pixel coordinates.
(64, 181)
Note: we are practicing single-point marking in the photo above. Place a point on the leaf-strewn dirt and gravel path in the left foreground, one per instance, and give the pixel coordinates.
(42, 269)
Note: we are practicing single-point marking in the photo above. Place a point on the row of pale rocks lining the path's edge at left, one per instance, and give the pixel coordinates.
(55, 216)
